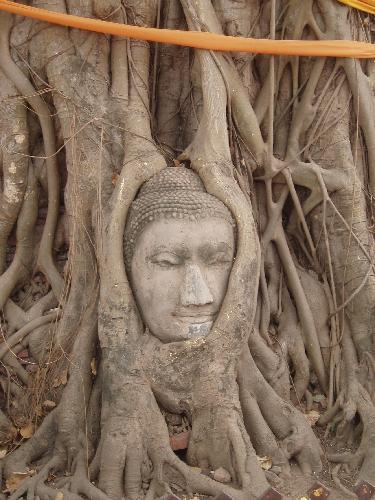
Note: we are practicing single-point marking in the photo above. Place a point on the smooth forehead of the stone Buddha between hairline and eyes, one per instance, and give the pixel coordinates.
(187, 234)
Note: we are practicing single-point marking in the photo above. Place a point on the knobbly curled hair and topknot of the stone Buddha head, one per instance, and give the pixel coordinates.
(173, 193)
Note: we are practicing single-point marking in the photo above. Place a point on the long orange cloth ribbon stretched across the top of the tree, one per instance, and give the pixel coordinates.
(199, 40)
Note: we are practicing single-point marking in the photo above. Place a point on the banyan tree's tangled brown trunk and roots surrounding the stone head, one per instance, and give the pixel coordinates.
(287, 144)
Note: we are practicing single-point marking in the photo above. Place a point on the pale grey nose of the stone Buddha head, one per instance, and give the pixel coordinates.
(194, 290)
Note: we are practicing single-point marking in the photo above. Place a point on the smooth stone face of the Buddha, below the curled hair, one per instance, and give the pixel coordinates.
(179, 273)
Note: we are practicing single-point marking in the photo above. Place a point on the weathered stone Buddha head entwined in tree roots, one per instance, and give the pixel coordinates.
(179, 250)
